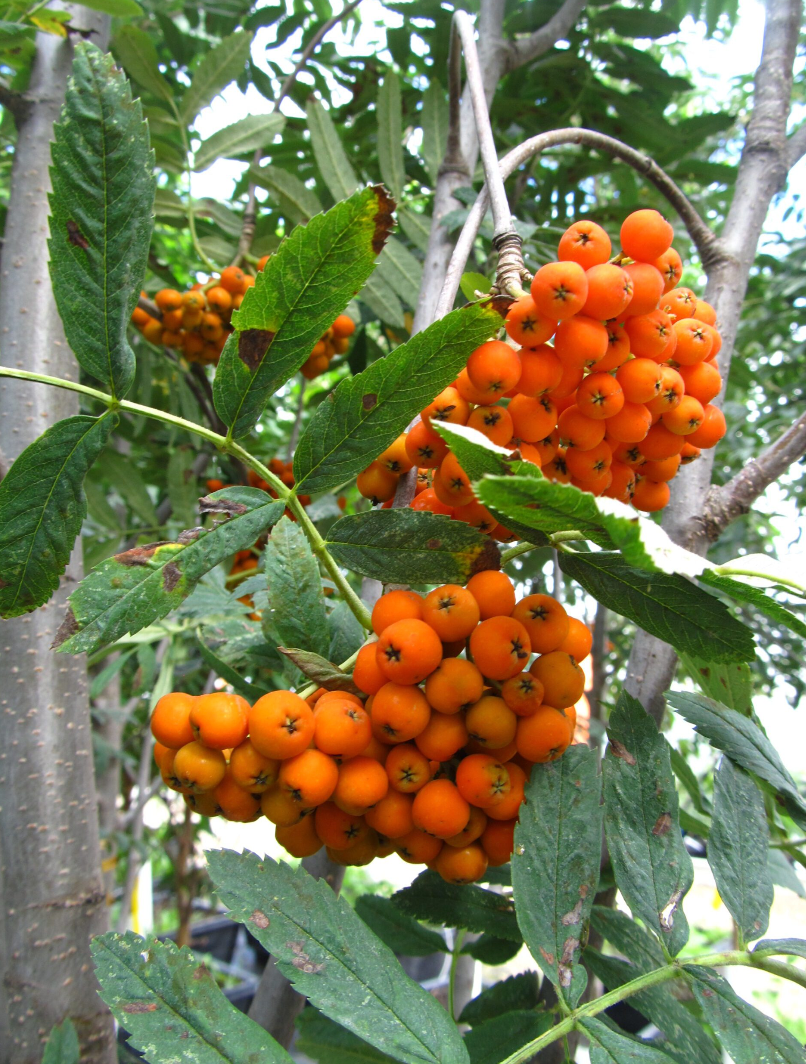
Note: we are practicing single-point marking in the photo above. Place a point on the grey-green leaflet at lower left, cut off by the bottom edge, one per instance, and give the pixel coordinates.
(173, 1008)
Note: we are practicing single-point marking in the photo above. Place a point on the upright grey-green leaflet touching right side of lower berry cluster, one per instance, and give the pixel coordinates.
(556, 864)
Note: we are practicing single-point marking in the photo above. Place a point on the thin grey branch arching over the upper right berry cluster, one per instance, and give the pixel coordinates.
(706, 241)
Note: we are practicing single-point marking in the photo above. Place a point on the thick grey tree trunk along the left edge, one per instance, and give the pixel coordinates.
(53, 892)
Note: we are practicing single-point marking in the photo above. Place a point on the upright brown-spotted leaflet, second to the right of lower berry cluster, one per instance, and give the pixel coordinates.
(652, 868)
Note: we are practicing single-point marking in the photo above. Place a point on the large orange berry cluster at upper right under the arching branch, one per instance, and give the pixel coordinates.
(619, 401)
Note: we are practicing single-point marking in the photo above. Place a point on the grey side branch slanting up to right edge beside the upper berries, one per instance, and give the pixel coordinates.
(725, 505)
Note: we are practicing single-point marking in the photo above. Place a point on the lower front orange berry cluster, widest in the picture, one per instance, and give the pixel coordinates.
(432, 766)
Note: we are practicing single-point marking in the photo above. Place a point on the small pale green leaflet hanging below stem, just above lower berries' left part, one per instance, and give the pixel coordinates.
(296, 597)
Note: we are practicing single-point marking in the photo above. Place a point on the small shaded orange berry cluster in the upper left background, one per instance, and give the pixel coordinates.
(196, 323)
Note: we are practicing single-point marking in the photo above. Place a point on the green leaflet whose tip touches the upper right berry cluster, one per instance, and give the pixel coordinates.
(368, 412)
